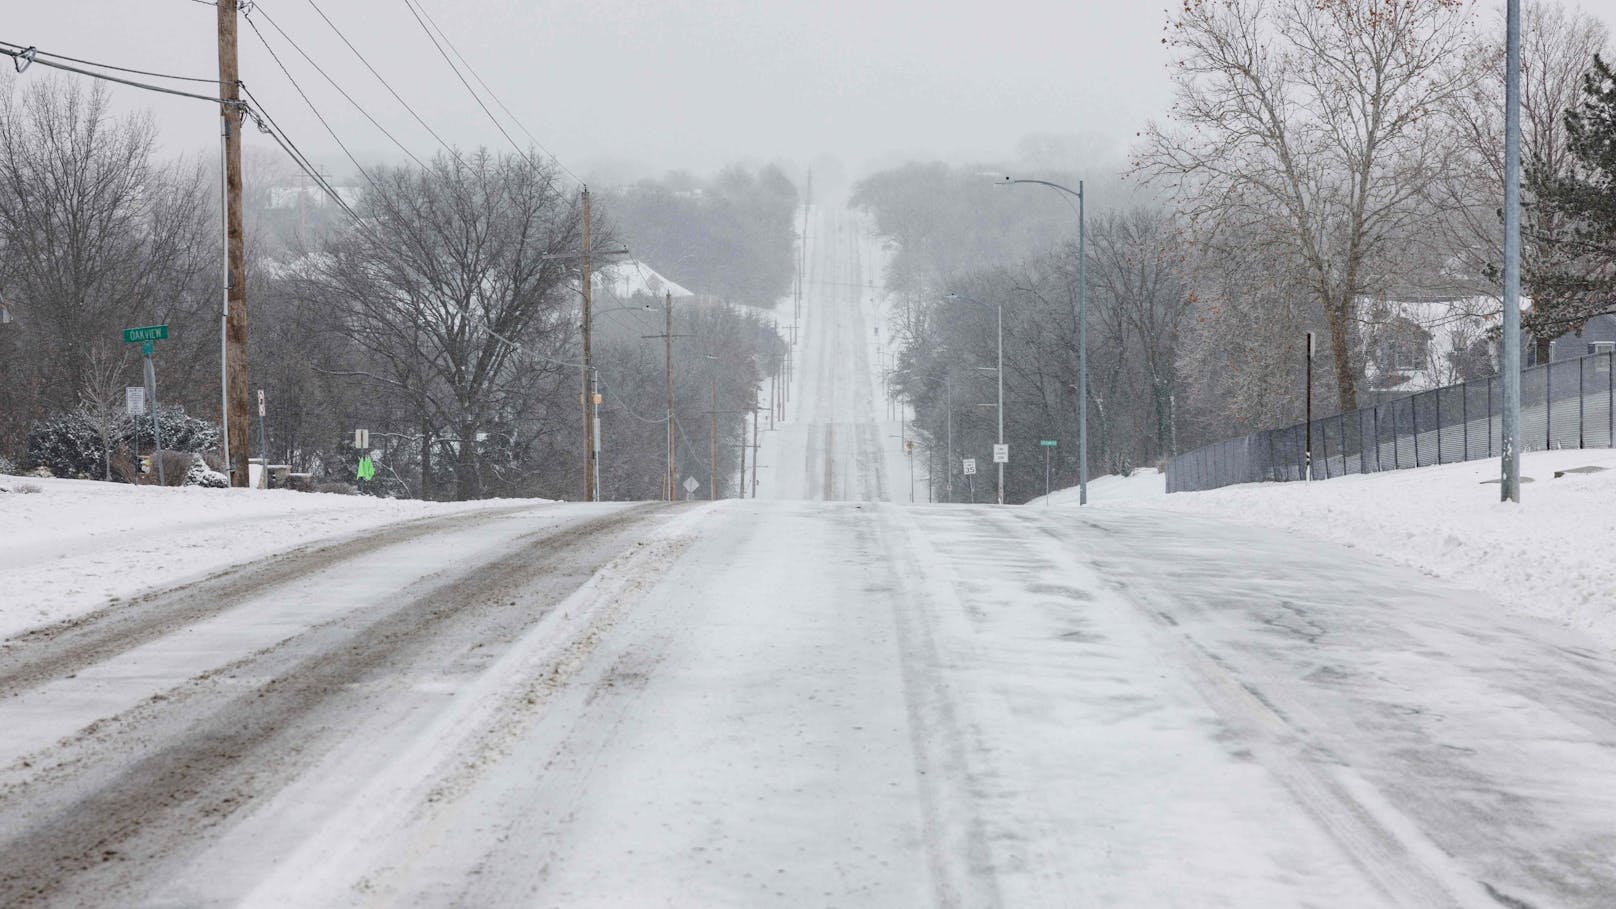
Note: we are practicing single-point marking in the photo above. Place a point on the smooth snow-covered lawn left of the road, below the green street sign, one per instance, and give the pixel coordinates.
(78, 544)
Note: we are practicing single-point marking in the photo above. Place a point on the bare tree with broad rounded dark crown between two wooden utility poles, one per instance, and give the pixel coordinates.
(458, 285)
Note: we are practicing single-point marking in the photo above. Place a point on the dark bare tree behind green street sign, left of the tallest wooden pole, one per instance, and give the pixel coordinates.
(95, 237)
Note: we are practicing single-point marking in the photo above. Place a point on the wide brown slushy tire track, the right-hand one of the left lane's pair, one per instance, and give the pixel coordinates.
(107, 808)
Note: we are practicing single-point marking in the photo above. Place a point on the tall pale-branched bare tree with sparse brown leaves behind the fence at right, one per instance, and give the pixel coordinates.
(1303, 124)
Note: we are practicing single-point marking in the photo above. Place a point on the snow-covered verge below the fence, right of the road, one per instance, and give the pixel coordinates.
(1551, 557)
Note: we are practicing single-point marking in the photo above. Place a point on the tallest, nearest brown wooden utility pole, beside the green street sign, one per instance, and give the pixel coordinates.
(234, 407)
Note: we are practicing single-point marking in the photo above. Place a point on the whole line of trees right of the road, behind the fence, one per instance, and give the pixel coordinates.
(1321, 163)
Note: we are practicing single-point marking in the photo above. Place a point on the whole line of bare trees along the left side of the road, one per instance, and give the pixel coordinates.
(436, 307)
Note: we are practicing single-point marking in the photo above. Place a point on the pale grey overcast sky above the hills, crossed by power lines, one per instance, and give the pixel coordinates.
(628, 88)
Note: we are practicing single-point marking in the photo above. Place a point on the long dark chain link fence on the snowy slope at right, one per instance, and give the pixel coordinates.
(1570, 404)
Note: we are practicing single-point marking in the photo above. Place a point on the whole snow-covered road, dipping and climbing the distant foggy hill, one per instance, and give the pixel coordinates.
(822, 698)
